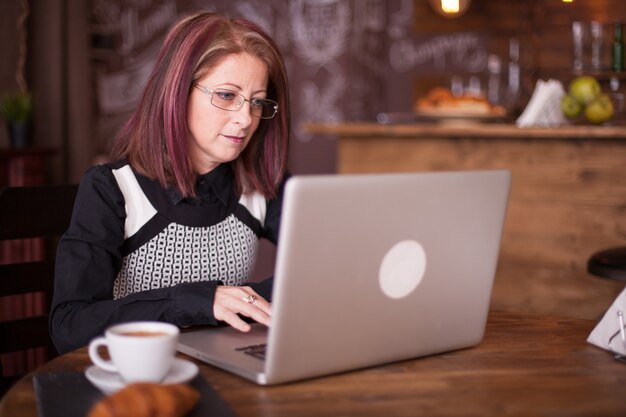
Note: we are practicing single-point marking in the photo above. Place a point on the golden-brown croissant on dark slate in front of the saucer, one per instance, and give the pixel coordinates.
(149, 400)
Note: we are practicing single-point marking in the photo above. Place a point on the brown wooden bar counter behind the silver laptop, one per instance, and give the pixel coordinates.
(568, 198)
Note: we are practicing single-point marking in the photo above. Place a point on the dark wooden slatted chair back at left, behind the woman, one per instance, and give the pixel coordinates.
(31, 222)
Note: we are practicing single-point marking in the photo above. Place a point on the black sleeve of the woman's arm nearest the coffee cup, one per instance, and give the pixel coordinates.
(88, 260)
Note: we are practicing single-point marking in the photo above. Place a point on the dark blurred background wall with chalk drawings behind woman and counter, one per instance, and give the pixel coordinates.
(87, 61)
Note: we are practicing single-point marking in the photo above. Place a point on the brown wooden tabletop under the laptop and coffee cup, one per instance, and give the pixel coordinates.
(526, 366)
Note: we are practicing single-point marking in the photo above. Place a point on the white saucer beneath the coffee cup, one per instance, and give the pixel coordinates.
(109, 382)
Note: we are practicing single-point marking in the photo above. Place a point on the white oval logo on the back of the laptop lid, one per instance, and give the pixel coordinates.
(402, 269)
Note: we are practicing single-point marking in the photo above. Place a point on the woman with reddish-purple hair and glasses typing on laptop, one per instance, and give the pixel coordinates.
(169, 231)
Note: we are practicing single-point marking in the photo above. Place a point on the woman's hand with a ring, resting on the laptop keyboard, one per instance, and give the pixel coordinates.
(233, 300)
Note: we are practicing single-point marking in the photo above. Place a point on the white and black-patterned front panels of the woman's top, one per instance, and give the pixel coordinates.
(170, 252)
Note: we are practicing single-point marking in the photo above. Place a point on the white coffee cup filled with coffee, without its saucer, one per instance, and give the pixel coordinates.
(141, 351)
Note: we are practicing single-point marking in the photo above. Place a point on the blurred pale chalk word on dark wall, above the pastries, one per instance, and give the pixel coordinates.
(461, 51)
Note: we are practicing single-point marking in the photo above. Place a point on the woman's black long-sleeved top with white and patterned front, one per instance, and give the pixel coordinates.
(146, 253)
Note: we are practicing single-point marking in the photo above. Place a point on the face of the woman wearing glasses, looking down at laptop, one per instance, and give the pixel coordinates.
(216, 135)
